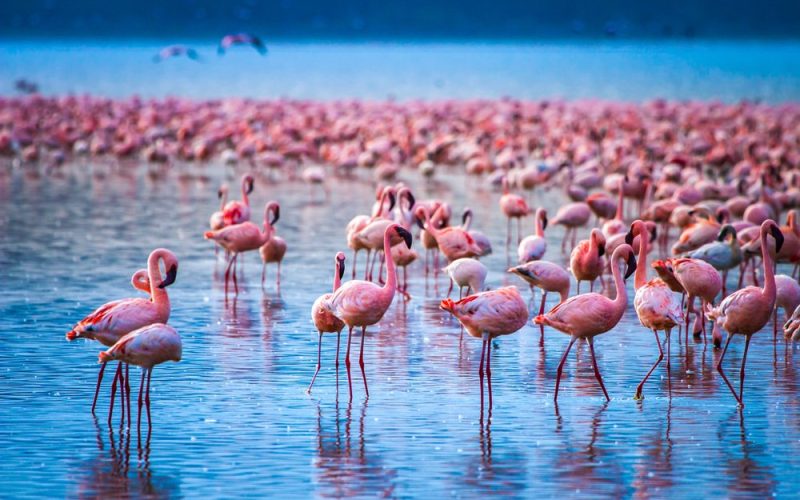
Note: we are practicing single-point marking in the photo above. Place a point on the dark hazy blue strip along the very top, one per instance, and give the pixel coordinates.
(369, 19)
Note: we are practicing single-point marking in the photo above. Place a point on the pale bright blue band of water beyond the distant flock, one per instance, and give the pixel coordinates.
(728, 71)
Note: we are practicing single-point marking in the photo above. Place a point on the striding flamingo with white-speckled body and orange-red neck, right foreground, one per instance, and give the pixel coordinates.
(656, 305)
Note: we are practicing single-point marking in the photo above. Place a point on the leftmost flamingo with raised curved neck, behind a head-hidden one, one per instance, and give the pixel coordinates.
(113, 320)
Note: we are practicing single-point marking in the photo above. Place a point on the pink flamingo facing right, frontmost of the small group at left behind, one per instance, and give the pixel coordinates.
(238, 238)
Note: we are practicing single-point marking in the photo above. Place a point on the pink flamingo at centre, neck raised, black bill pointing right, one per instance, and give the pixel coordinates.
(363, 303)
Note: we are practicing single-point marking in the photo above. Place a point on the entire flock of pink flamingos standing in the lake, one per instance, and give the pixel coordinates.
(723, 176)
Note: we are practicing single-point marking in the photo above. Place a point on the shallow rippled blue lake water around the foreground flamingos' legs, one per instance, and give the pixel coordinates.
(233, 418)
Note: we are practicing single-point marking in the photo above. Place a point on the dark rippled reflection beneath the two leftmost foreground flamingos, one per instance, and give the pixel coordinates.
(115, 473)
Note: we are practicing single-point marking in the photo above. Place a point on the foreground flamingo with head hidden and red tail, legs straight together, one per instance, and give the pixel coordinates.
(487, 315)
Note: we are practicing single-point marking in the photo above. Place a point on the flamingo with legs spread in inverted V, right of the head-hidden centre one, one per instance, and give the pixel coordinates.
(591, 314)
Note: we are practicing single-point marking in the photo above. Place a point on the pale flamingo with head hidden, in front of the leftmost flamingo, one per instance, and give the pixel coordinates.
(145, 347)
